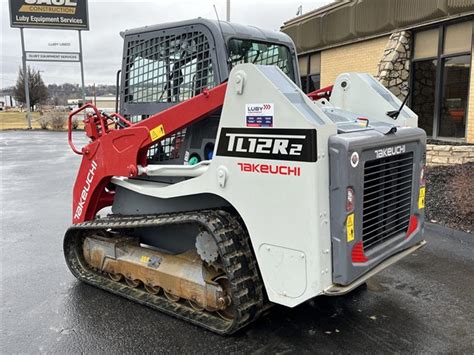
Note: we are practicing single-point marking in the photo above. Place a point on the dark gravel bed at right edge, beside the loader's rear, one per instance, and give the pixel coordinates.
(450, 196)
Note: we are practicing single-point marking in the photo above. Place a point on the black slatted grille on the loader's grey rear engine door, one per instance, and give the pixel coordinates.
(387, 198)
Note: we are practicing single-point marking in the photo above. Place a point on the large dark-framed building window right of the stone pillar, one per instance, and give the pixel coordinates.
(440, 79)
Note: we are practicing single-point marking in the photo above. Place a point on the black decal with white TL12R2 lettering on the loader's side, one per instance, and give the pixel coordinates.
(269, 144)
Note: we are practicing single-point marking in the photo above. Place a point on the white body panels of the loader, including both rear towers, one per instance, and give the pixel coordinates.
(278, 177)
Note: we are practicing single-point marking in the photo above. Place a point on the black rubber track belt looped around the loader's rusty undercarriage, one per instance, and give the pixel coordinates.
(234, 248)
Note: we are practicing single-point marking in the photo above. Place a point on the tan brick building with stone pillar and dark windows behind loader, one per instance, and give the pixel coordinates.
(424, 45)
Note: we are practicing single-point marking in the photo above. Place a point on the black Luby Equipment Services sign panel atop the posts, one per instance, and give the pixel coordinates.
(55, 14)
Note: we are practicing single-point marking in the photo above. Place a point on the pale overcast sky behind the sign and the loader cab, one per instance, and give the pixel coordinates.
(102, 44)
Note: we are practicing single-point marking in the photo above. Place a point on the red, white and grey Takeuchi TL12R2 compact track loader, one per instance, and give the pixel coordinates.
(220, 187)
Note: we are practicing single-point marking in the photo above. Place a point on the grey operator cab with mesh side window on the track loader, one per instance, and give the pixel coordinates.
(166, 64)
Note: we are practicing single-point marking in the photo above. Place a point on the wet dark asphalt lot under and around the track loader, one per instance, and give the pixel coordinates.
(424, 303)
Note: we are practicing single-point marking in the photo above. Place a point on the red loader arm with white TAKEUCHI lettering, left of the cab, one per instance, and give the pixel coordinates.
(119, 152)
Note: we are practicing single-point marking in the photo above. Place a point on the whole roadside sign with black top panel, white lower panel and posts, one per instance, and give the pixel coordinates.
(53, 14)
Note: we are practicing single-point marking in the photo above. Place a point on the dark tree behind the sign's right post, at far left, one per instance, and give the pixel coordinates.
(38, 91)
